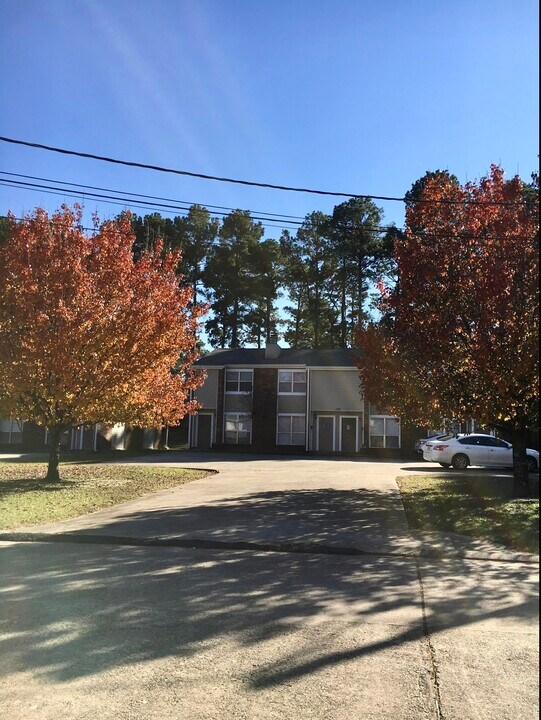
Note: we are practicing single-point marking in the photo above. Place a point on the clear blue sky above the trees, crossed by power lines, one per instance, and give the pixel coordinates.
(355, 96)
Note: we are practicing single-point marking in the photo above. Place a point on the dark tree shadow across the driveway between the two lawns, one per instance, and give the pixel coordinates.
(323, 516)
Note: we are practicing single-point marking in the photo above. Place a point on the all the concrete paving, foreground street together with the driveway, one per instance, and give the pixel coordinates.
(117, 631)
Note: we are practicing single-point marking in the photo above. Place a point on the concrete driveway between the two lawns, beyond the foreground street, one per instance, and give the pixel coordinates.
(280, 501)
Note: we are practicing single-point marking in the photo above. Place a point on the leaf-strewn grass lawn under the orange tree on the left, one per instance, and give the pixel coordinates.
(27, 499)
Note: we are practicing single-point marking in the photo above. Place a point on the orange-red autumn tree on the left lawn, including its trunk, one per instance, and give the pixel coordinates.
(88, 333)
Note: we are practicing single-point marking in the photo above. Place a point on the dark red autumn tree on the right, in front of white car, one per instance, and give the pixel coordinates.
(461, 333)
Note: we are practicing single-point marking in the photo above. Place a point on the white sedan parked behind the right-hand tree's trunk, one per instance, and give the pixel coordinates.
(486, 450)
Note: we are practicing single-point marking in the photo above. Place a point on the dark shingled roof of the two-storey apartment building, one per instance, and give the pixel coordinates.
(253, 357)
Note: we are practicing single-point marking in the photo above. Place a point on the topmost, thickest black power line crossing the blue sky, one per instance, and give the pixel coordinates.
(236, 181)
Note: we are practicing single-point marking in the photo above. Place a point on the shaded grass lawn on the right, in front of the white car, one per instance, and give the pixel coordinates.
(481, 507)
